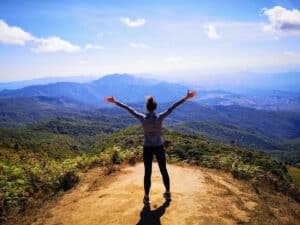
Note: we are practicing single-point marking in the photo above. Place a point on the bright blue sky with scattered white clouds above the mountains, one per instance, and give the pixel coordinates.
(181, 40)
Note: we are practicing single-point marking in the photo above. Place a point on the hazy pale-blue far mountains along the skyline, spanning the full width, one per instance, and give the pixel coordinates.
(130, 88)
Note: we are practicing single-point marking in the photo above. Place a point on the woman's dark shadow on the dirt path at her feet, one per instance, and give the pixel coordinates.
(152, 217)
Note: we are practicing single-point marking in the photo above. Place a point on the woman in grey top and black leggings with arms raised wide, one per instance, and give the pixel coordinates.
(153, 142)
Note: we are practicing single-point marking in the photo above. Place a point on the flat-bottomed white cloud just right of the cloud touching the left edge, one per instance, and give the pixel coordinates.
(54, 44)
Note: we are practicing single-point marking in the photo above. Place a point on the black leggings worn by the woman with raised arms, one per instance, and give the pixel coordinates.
(159, 152)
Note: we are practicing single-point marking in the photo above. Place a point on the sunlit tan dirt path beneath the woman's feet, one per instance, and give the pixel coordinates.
(200, 196)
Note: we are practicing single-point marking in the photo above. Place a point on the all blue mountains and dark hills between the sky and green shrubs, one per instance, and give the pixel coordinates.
(216, 114)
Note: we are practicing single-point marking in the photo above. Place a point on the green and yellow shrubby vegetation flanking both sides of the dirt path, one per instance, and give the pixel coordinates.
(39, 163)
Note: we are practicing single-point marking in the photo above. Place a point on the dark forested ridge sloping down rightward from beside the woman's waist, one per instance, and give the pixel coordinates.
(244, 137)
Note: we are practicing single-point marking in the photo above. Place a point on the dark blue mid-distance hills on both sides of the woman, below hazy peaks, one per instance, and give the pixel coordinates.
(271, 132)
